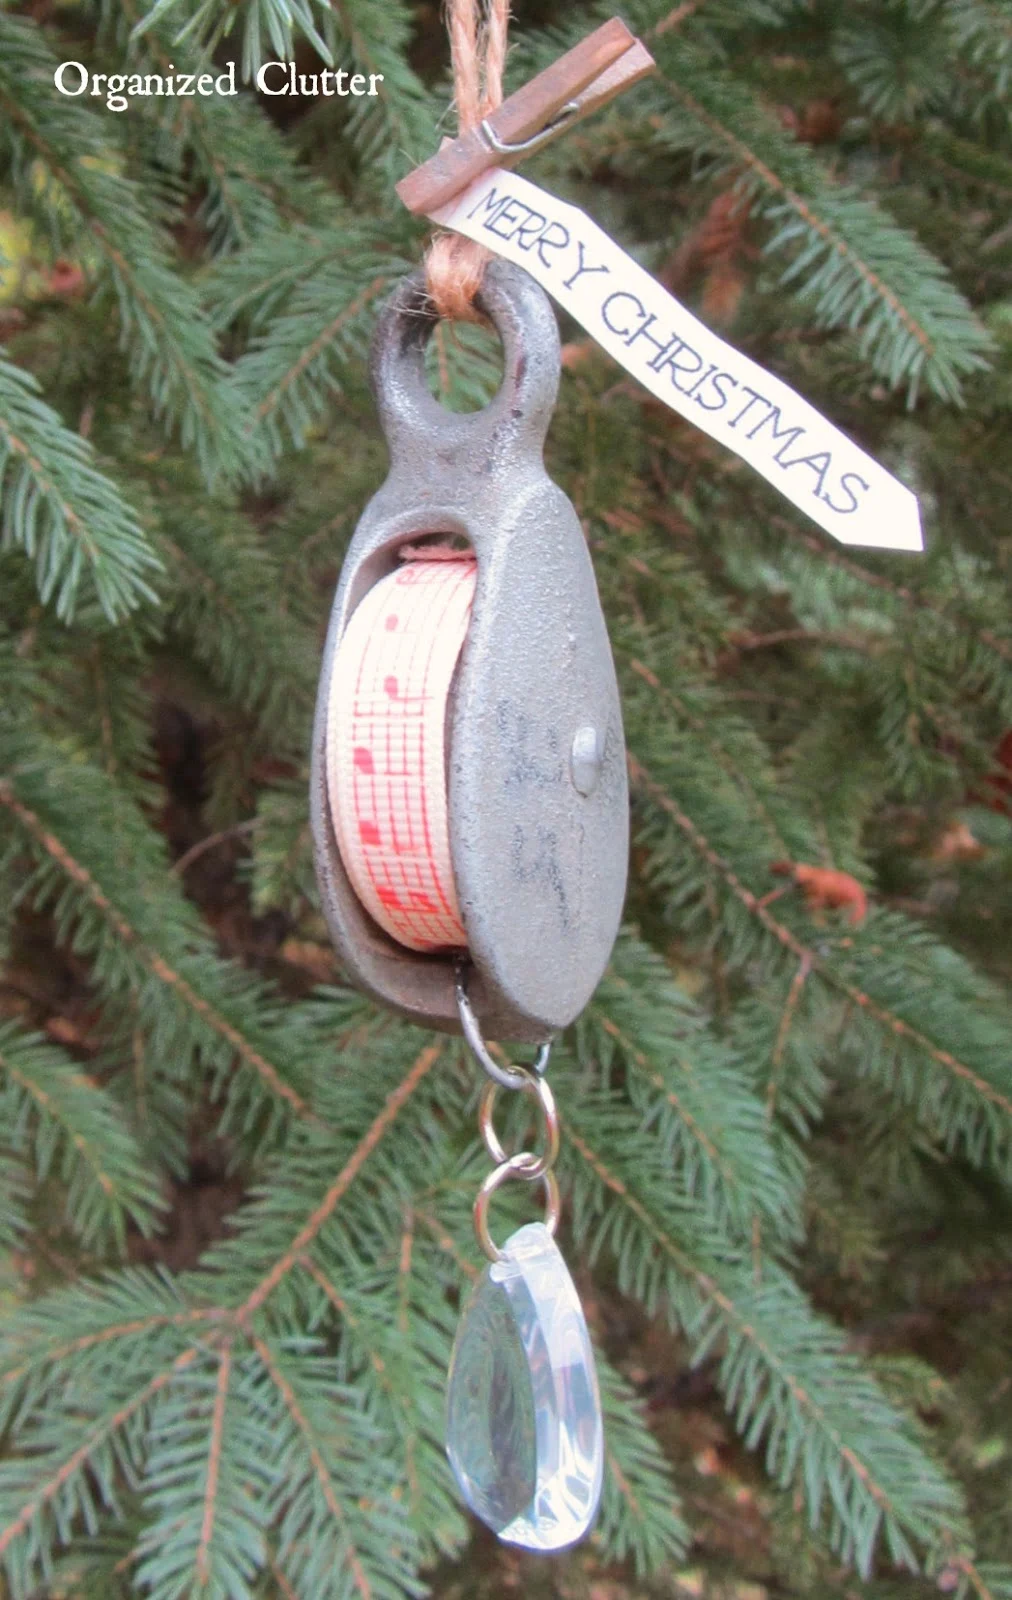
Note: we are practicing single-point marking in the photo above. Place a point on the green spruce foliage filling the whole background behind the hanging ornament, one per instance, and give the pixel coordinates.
(789, 1134)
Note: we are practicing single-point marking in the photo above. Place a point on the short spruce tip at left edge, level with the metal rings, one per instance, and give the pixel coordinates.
(63, 1122)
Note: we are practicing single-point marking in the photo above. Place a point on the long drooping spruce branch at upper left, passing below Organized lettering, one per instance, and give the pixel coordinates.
(161, 319)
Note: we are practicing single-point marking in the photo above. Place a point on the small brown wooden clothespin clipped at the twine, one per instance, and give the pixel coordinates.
(580, 82)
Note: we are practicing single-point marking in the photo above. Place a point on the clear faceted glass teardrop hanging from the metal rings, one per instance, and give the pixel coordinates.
(524, 1431)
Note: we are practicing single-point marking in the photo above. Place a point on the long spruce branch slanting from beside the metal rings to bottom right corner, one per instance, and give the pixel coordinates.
(785, 1372)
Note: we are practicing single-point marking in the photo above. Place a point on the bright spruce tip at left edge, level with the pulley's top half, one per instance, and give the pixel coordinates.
(63, 511)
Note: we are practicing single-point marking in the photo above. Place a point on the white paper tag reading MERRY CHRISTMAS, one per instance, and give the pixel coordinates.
(686, 366)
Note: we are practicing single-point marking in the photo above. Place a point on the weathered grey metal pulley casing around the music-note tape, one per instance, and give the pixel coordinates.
(536, 770)
